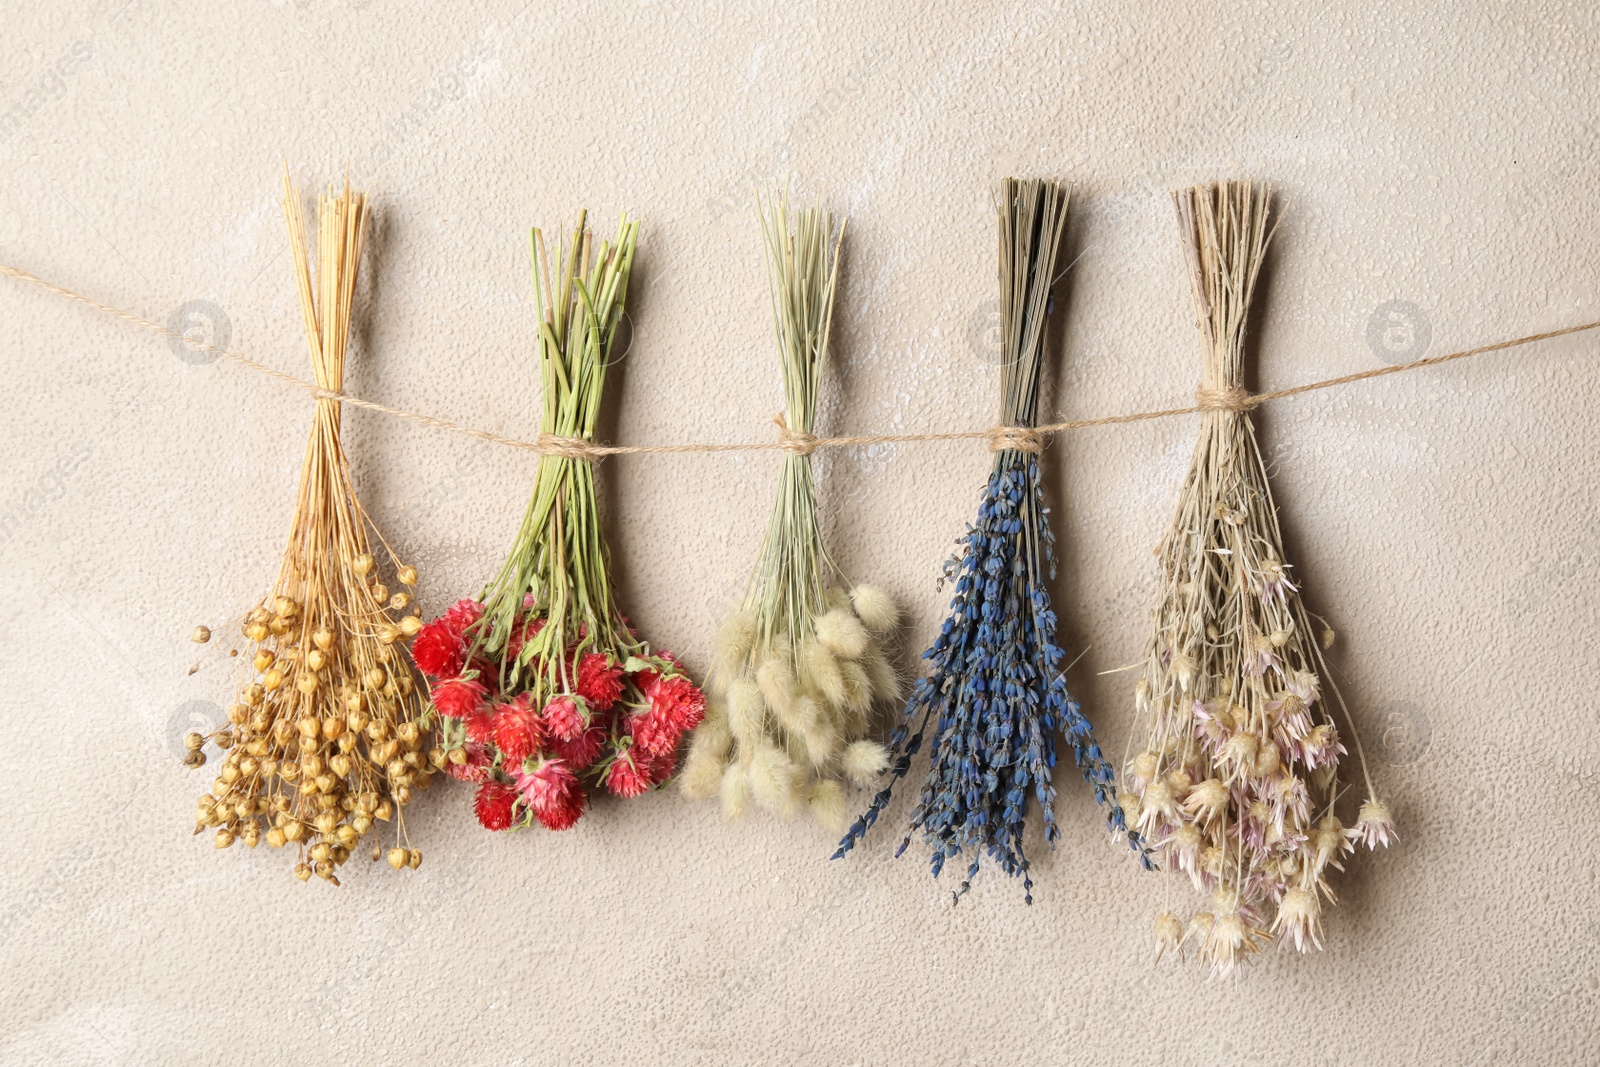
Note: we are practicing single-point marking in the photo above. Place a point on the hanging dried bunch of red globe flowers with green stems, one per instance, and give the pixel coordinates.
(545, 690)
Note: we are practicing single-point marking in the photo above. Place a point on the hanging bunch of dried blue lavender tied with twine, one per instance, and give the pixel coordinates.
(996, 690)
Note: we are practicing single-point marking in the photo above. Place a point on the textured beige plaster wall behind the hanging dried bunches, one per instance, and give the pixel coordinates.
(1442, 156)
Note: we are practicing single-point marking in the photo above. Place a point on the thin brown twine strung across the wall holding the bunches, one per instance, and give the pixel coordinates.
(794, 442)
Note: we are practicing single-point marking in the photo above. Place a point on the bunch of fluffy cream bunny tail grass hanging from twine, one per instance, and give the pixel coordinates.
(798, 665)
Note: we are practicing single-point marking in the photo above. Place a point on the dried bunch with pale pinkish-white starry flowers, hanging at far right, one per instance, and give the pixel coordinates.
(1239, 775)
